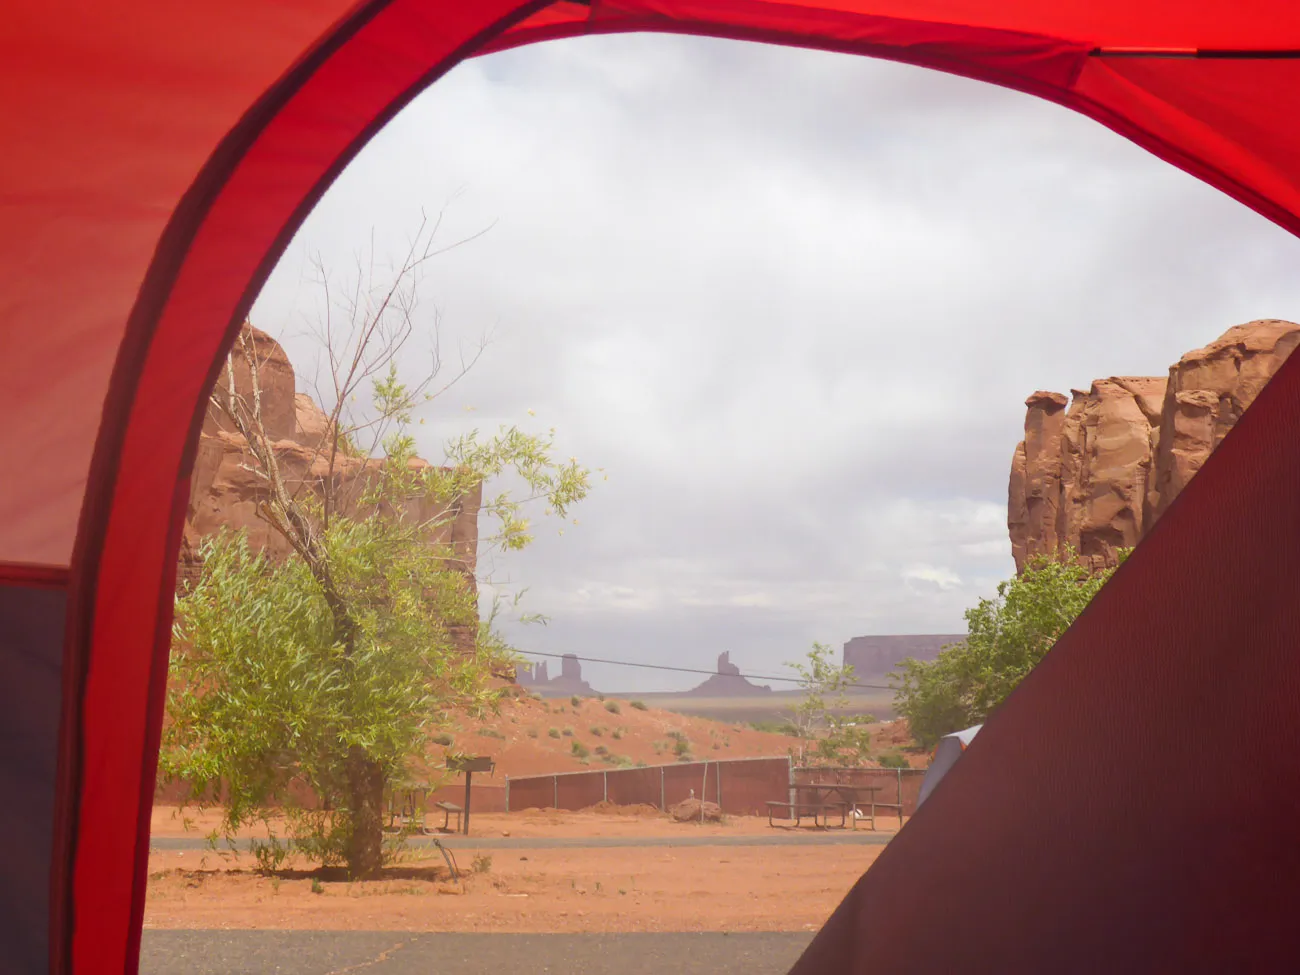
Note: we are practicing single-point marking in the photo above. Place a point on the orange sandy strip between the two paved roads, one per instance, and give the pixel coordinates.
(779, 889)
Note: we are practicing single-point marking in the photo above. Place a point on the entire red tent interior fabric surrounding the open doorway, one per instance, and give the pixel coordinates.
(161, 155)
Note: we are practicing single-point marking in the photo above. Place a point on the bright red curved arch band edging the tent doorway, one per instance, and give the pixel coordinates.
(240, 214)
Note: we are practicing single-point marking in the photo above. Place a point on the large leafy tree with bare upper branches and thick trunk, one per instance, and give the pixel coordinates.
(327, 674)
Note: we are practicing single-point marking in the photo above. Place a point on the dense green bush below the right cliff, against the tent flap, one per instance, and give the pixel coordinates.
(1007, 638)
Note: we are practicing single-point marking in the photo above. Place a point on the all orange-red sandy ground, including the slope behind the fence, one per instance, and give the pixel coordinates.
(720, 889)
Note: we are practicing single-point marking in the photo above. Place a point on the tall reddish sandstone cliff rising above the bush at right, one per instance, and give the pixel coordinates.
(1099, 475)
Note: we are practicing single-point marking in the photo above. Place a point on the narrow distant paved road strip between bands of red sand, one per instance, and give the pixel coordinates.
(837, 838)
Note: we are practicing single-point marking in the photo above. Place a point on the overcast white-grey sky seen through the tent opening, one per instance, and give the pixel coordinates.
(792, 304)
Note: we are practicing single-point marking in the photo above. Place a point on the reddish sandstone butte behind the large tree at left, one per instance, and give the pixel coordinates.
(226, 493)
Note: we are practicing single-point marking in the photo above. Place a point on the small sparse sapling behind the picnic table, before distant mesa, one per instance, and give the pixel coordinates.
(827, 734)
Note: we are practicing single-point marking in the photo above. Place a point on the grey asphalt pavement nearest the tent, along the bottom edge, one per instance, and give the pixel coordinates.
(400, 954)
